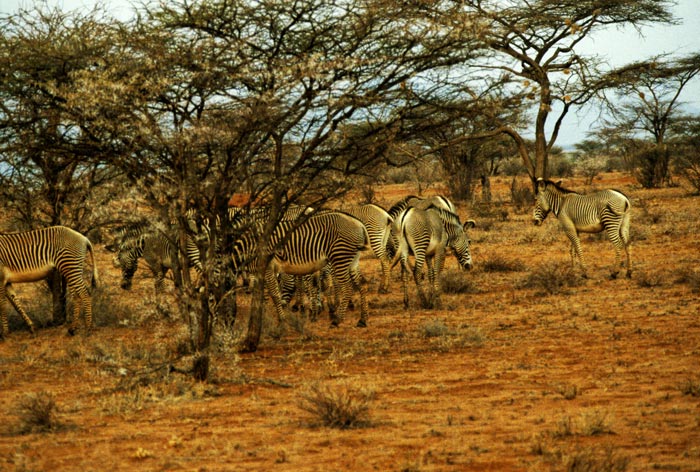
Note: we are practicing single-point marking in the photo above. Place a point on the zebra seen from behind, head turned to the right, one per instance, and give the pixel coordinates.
(427, 234)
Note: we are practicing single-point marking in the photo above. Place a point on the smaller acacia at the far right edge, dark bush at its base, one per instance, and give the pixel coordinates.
(648, 102)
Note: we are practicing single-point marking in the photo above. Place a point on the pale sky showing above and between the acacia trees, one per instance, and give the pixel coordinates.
(618, 47)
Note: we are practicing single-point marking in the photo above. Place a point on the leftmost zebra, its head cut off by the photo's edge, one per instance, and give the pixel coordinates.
(31, 256)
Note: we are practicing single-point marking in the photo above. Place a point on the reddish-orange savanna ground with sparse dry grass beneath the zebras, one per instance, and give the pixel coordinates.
(515, 370)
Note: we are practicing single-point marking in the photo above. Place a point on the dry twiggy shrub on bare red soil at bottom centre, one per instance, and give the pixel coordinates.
(342, 407)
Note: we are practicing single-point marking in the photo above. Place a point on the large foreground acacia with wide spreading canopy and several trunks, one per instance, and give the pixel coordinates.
(285, 101)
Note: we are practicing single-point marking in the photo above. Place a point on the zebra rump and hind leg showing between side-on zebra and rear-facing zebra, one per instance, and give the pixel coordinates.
(378, 223)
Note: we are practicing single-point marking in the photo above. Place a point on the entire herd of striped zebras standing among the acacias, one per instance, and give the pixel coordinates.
(306, 244)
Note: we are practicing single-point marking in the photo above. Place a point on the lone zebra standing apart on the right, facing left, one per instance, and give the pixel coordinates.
(607, 210)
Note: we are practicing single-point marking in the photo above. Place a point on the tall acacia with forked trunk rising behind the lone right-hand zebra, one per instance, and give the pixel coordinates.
(535, 46)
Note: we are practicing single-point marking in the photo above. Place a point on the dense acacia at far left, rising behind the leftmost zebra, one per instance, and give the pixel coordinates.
(50, 171)
